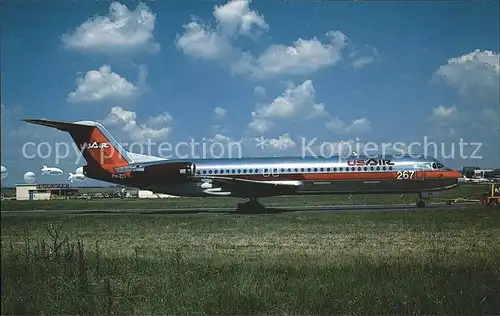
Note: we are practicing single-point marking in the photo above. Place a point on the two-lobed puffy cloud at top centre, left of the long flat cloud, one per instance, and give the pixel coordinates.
(234, 18)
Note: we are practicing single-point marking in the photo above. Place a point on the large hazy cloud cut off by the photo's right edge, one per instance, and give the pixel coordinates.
(477, 69)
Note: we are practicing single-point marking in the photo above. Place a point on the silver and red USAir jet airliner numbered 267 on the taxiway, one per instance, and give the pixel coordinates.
(254, 178)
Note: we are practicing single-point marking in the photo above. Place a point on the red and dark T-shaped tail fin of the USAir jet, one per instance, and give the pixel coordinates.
(96, 144)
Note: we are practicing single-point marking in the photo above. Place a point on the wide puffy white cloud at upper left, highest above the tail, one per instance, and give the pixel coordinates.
(122, 30)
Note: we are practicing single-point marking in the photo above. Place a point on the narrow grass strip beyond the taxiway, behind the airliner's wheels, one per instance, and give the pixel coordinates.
(473, 191)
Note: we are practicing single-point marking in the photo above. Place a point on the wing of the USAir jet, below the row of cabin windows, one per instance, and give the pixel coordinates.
(252, 187)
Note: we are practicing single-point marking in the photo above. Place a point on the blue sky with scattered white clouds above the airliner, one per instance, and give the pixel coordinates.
(229, 72)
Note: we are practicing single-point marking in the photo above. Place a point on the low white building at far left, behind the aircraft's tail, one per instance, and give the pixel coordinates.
(25, 192)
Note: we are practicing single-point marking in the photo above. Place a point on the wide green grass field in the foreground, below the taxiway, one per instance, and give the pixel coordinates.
(419, 262)
